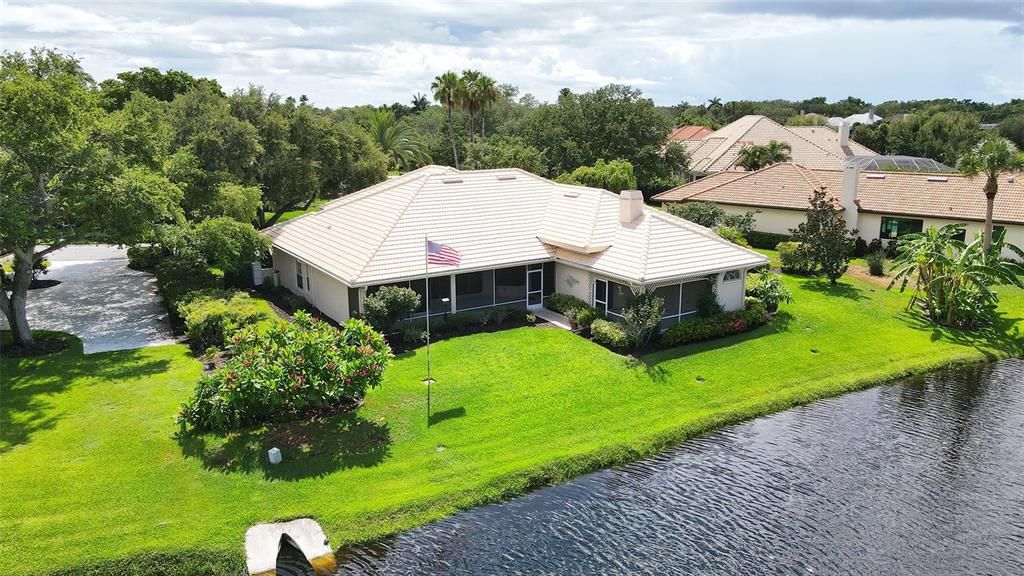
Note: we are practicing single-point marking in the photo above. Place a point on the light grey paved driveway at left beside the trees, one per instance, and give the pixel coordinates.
(101, 301)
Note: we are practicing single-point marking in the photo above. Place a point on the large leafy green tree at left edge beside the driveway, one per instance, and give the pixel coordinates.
(65, 175)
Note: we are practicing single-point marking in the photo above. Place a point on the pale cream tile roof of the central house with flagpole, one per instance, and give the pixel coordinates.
(497, 219)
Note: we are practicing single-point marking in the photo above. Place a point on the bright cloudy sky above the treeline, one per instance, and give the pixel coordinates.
(344, 53)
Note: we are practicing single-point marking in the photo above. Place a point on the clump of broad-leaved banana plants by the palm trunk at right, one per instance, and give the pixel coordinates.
(955, 283)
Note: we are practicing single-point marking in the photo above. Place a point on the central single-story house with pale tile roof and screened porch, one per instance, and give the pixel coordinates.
(522, 238)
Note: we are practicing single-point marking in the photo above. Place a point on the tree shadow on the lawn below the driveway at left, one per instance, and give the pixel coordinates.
(28, 384)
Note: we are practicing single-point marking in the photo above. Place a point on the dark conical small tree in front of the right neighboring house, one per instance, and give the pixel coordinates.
(825, 240)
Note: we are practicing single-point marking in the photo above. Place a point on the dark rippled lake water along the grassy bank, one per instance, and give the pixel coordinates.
(921, 478)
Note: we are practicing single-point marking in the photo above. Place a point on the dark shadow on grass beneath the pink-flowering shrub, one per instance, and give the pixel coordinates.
(310, 448)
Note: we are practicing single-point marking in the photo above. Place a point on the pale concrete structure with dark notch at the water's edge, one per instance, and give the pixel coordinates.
(298, 548)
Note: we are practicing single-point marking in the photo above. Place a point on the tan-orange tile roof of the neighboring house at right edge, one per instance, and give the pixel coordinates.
(789, 186)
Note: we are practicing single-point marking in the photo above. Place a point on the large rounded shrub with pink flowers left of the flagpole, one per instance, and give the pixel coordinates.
(285, 371)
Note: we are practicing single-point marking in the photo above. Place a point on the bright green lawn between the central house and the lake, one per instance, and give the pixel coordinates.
(91, 471)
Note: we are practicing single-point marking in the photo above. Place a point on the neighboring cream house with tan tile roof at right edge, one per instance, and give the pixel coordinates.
(878, 204)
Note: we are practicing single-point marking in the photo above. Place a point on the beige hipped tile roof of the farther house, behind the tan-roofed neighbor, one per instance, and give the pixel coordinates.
(816, 147)
